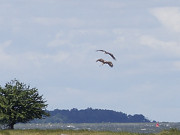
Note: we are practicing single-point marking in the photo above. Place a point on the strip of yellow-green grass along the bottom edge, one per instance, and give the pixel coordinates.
(79, 132)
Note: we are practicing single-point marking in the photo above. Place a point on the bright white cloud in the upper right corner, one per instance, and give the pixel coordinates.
(169, 17)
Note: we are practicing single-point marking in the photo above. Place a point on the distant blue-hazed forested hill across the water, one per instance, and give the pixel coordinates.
(90, 115)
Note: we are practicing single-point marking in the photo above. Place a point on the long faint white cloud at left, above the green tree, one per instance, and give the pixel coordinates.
(26, 60)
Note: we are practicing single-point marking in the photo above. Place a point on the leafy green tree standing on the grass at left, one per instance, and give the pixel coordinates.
(19, 104)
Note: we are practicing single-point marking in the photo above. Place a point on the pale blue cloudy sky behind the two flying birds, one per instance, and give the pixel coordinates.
(51, 45)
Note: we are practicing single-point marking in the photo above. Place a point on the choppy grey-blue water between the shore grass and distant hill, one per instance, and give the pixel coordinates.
(129, 127)
